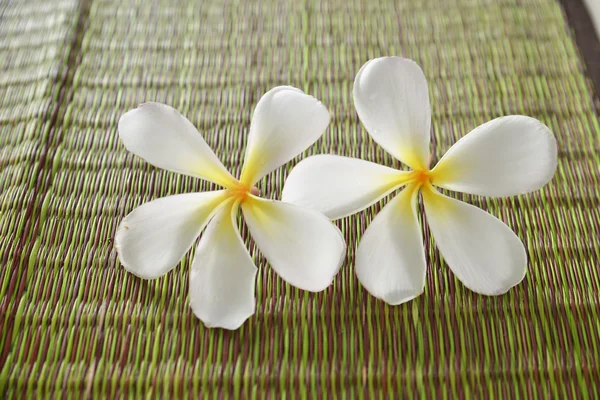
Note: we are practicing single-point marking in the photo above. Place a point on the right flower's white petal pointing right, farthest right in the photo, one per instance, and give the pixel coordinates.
(504, 157)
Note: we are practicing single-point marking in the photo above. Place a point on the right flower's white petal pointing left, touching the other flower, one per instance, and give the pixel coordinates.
(339, 186)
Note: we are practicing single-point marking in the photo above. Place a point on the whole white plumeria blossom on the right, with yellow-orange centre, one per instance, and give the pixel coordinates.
(504, 157)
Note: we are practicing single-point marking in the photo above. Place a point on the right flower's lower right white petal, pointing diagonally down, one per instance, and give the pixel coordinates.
(481, 250)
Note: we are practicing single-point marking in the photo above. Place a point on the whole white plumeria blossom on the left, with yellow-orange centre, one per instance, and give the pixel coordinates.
(301, 244)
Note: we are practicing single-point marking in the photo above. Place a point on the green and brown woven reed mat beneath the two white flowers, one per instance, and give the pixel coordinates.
(75, 324)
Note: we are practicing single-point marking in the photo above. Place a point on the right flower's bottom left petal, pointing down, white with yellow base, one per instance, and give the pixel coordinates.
(390, 259)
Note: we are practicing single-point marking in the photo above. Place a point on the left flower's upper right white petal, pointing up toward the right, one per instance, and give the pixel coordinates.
(286, 122)
